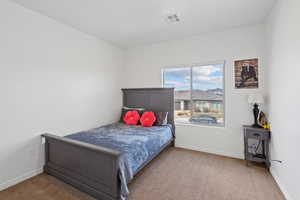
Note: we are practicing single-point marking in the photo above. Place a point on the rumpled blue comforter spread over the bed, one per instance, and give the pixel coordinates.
(137, 145)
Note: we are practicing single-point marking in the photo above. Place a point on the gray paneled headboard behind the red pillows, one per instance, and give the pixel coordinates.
(154, 99)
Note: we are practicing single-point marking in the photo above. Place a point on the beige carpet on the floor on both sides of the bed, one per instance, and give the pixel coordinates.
(176, 174)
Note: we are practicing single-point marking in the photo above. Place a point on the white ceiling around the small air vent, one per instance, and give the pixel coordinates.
(128, 23)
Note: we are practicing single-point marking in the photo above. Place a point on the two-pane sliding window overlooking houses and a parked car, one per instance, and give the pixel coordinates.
(199, 93)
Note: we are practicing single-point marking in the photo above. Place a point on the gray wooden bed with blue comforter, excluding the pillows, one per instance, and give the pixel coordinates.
(103, 160)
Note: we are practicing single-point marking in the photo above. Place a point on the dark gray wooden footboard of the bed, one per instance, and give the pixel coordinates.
(89, 168)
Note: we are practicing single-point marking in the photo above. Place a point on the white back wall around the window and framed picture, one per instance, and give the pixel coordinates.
(143, 69)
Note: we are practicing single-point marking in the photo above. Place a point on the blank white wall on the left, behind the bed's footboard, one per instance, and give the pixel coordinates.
(52, 79)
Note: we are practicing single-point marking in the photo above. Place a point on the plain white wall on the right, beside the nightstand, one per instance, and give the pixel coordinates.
(284, 86)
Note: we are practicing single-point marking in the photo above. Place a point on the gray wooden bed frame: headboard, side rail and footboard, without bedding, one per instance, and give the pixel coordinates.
(94, 169)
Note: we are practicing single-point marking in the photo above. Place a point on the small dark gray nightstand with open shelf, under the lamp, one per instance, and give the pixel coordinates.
(256, 145)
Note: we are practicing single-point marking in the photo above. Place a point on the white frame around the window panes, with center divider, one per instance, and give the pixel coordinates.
(191, 66)
